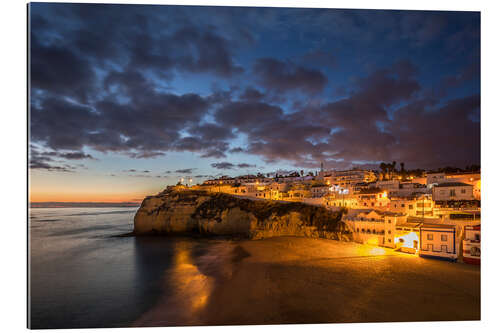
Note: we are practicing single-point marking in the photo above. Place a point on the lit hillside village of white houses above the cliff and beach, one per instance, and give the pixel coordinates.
(432, 214)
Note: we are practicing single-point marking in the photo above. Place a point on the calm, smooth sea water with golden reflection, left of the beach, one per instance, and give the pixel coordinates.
(83, 276)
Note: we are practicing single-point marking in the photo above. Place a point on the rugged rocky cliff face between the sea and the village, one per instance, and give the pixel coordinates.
(199, 212)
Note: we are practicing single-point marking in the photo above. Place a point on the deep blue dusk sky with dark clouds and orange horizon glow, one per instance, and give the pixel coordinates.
(126, 99)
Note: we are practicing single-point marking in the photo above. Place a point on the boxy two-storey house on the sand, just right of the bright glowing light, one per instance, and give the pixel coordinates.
(438, 241)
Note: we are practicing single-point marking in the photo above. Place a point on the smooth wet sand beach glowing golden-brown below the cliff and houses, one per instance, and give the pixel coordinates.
(299, 280)
